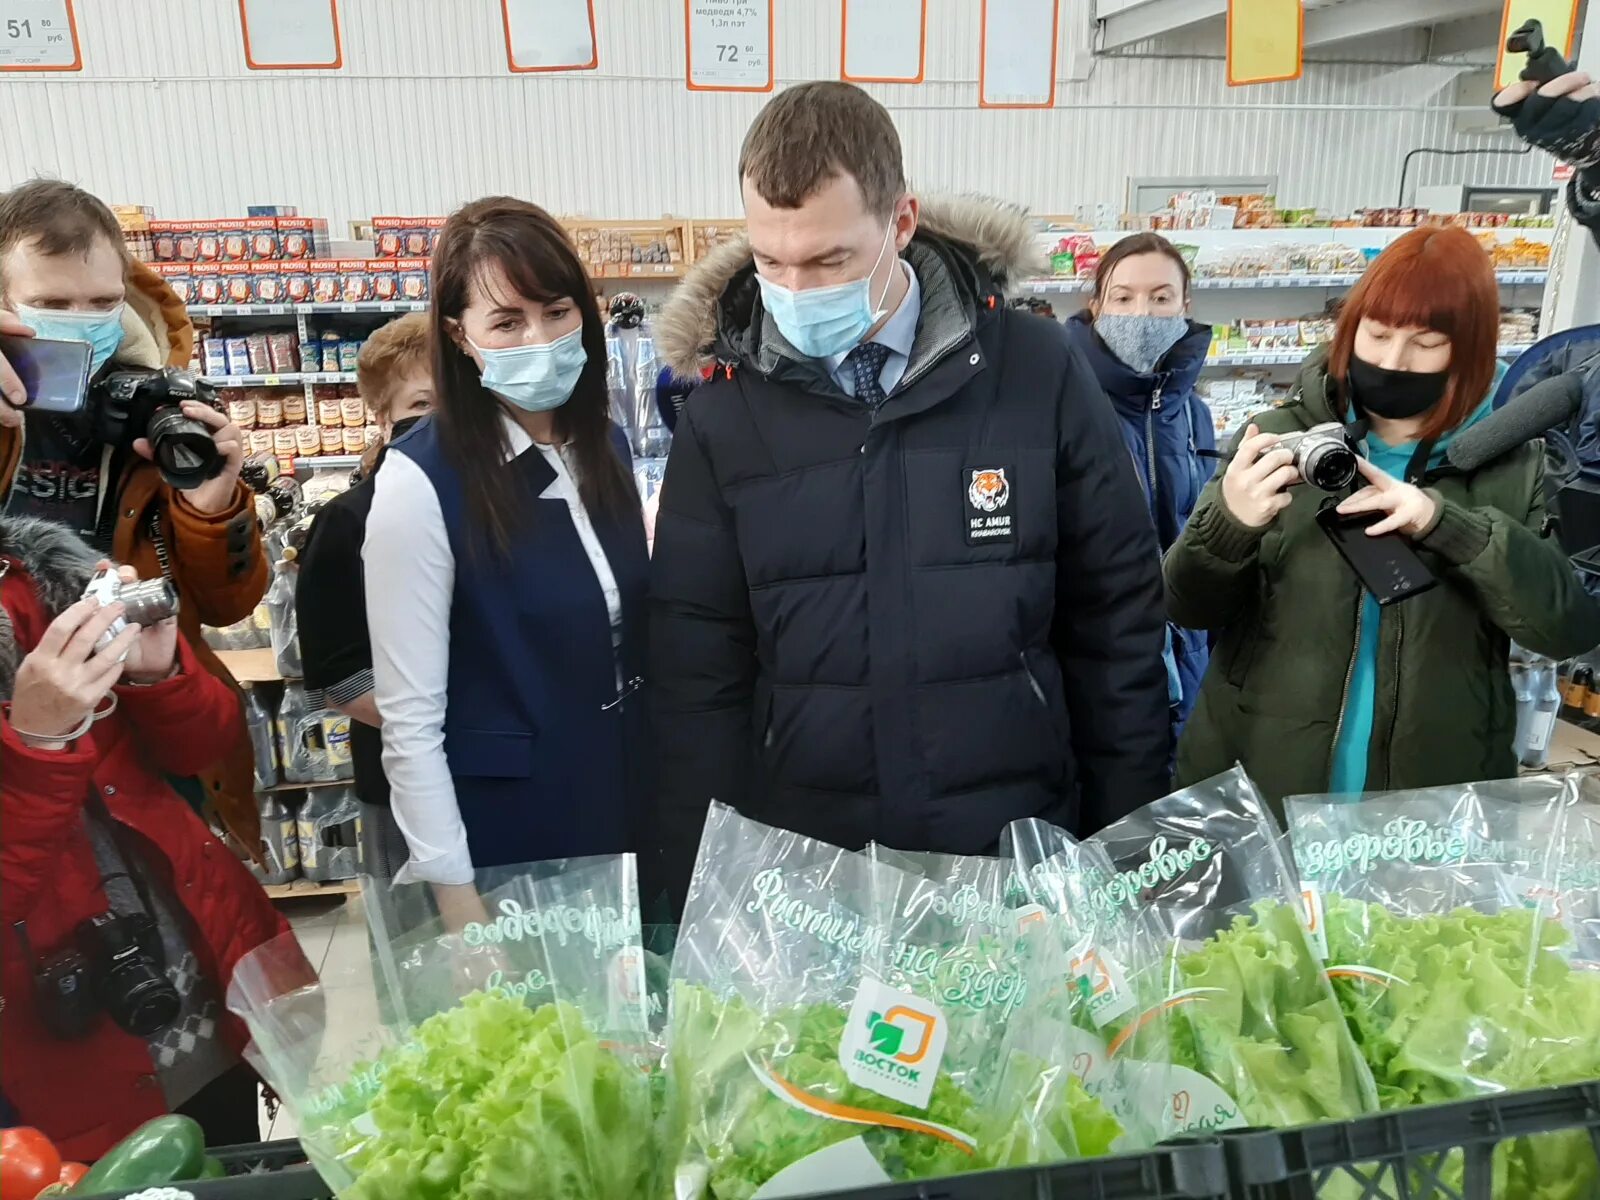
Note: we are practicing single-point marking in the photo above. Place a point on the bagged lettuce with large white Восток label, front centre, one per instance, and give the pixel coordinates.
(838, 1022)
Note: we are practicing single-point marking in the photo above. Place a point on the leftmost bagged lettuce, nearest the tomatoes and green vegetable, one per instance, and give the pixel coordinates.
(514, 1055)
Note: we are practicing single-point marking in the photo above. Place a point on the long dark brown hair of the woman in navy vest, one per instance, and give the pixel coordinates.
(542, 265)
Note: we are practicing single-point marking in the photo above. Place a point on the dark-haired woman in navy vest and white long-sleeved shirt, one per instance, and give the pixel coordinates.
(506, 572)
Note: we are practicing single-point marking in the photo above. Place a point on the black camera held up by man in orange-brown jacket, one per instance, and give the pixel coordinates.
(129, 406)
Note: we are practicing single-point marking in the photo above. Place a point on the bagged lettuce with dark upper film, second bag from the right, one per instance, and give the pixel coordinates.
(1255, 1033)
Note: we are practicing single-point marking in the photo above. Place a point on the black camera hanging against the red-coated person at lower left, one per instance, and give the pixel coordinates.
(116, 967)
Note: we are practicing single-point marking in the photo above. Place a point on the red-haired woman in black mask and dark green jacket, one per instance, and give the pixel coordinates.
(1314, 687)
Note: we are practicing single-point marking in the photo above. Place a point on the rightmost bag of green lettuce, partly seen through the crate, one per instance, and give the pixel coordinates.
(1447, 943)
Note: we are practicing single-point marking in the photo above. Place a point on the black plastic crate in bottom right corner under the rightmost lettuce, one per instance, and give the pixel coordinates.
(1436, 1153)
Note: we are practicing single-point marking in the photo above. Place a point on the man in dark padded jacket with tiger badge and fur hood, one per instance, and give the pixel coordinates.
(905, 586)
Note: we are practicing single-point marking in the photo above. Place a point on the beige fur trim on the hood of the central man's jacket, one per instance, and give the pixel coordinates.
(996, 239)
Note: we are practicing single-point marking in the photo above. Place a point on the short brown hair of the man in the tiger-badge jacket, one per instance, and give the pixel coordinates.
(815, 132)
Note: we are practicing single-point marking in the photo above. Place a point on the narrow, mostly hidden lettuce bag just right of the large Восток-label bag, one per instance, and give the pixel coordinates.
(1108, 983)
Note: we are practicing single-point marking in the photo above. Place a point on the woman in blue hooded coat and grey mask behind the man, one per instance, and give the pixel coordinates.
(1148, 356)
